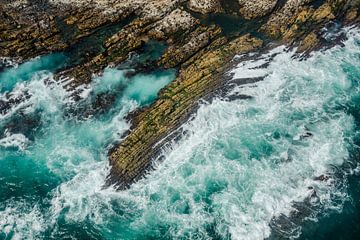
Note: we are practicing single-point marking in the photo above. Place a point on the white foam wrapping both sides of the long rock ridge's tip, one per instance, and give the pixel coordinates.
(231, 173)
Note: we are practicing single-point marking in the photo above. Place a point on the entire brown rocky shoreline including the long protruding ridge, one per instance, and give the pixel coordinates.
(104, 33)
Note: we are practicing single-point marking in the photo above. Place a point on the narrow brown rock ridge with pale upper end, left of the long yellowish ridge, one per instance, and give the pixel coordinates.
(128, 39)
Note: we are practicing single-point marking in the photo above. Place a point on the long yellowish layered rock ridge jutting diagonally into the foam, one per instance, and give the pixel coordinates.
(198, 78)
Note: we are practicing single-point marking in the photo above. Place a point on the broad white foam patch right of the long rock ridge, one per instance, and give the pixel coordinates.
(224, 140)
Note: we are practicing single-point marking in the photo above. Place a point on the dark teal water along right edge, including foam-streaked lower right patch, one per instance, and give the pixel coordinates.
(332, 224)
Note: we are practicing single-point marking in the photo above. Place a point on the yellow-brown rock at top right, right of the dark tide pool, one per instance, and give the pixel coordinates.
(297, 22)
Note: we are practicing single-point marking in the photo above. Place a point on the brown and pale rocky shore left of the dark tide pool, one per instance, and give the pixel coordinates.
(63, 24)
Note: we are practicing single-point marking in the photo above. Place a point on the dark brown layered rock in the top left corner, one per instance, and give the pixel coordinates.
(25, 32)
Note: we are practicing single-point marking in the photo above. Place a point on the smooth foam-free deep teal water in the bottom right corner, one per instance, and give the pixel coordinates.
(346, 224)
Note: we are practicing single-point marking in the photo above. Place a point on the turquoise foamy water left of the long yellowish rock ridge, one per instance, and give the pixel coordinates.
(65, 153)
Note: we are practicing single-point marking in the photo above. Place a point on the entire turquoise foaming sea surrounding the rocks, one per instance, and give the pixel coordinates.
(282, 163)
